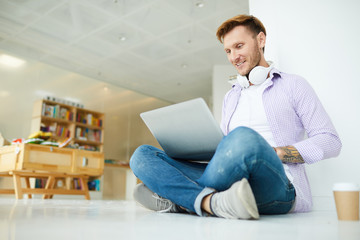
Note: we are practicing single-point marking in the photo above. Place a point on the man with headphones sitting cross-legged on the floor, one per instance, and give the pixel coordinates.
(259, 166)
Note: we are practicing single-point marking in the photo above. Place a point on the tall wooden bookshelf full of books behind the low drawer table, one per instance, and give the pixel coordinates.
(82, 127)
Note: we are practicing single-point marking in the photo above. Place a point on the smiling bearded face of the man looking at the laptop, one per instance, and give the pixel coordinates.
(243, 50)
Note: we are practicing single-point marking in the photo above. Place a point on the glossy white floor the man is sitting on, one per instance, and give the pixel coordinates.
(100, 219)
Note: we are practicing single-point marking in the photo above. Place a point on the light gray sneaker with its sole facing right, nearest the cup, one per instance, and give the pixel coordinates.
(238, 202)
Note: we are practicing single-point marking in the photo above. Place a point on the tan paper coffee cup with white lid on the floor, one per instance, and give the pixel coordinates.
(347, 201)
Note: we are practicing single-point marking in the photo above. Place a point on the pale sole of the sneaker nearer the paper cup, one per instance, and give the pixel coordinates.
(247, 198)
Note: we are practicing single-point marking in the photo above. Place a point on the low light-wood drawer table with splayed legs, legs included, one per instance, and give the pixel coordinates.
(50, 164)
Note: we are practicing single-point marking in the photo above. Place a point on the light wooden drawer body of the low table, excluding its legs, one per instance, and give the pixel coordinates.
(33, 157)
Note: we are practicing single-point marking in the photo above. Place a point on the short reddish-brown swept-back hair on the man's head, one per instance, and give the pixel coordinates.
(253, 24)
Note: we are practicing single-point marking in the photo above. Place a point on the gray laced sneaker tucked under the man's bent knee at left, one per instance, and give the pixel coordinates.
(152, 201)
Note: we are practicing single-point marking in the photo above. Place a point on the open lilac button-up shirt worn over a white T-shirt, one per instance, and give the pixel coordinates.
(293, 109)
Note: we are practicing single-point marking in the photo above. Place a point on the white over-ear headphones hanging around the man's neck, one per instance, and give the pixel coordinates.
(257, 75)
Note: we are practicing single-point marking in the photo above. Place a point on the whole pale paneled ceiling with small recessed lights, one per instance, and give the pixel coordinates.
(161, 48)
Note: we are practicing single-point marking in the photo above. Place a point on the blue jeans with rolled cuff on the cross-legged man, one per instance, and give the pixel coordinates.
(243, 153)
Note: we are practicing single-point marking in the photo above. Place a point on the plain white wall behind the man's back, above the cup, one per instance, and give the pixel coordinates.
(320, 41)
